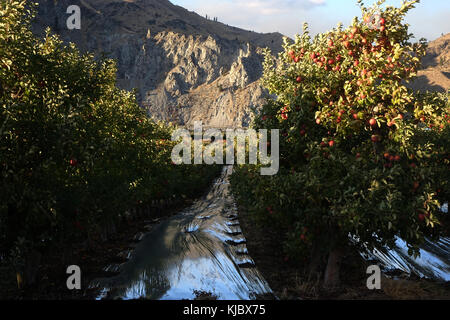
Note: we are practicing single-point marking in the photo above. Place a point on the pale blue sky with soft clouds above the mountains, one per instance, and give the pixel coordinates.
(429, 19)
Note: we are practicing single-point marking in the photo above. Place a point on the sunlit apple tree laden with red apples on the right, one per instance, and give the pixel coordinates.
(357, 154)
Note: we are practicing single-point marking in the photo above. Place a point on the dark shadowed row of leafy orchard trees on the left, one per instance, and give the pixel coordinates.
(76, 152)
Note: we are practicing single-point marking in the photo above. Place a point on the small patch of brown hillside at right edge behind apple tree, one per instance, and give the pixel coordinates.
(435, 75)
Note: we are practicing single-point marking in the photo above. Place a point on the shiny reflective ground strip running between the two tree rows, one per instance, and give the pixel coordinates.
(199, 249)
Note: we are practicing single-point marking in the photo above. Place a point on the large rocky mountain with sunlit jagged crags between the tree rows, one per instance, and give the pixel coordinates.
(184, 67)
